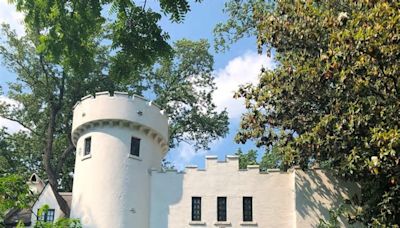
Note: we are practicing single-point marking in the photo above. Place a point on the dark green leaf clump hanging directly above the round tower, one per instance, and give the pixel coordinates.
(139, 42)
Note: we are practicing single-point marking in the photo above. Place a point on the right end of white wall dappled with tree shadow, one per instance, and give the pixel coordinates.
(317, 192)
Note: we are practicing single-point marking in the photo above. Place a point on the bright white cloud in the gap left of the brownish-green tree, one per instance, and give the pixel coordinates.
(239, 71)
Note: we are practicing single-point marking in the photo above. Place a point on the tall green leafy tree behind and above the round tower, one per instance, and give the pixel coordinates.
(70, 50)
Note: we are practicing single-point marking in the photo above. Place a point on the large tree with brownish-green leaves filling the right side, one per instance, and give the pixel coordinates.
(335, 94)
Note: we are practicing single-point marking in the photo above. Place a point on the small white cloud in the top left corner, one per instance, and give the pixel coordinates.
(9, 15)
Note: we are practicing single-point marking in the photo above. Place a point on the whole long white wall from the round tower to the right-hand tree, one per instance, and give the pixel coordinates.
(293, 199)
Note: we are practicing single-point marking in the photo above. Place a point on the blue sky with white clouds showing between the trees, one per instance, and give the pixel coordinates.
(239, 65)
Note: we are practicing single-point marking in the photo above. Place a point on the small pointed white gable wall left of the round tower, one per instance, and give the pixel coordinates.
(46, 197)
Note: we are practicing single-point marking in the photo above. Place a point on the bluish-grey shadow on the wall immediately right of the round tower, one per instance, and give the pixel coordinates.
(167, 189)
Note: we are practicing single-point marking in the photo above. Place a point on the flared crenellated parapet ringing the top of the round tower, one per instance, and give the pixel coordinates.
(120, 110)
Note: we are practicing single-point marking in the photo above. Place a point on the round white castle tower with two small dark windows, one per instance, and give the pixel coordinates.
(118, 140)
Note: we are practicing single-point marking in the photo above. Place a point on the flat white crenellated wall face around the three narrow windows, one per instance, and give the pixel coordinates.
(273, 196)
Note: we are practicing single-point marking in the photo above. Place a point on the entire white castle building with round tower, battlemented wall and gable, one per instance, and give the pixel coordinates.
(118, 181)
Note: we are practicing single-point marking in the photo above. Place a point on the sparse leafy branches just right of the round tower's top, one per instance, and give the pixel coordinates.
(183, 86)
